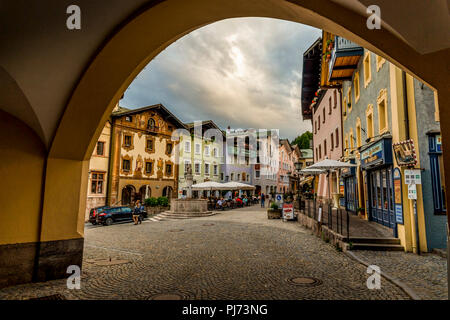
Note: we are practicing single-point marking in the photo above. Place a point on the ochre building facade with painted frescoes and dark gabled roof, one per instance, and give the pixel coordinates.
(142, 155)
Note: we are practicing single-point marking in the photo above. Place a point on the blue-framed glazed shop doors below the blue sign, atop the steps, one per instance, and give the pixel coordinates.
(381, 197)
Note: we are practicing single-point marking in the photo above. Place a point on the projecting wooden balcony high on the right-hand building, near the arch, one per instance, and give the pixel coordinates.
(344, 59)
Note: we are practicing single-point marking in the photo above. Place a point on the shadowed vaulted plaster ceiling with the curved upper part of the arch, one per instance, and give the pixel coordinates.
(46, 70)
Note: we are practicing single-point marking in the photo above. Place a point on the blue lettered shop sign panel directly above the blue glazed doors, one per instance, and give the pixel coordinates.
(379, 153)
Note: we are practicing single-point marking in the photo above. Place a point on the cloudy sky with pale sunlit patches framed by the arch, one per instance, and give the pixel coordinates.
(243, 73)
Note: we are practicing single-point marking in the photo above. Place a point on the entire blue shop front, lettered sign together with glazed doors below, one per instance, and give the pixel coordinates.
(376, 162)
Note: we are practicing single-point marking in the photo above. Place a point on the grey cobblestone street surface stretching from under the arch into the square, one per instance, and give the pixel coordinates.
(237, 254)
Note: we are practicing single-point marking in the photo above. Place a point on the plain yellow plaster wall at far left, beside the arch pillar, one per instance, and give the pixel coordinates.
(21, 171)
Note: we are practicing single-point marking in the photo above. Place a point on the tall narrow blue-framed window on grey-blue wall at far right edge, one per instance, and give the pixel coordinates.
(437, 173)
